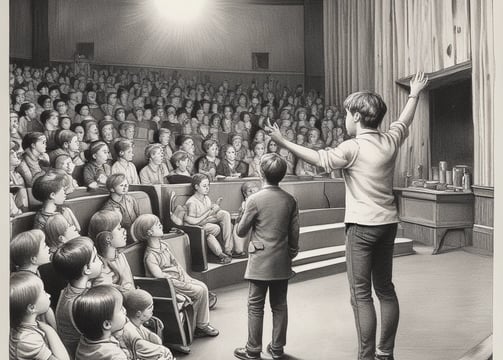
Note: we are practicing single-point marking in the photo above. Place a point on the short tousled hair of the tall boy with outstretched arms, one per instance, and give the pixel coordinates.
(369, 105)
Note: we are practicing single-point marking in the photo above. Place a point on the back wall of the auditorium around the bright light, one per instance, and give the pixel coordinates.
(128, 32)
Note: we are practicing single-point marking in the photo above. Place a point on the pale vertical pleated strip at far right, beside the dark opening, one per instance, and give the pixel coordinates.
(483, 71)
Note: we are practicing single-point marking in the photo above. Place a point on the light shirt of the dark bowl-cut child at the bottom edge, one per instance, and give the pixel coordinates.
(108, 349)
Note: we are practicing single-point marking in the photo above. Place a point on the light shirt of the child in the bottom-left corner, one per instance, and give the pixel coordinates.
(28, 342)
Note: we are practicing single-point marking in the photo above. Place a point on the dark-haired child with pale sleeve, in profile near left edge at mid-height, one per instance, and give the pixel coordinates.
(50, 190)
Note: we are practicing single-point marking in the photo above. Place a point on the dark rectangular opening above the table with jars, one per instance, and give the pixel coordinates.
(451, 124)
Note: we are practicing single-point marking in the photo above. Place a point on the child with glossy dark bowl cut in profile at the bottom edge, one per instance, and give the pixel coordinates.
(100, 316)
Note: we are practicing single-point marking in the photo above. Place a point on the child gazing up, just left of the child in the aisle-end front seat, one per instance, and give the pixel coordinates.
(108, 235)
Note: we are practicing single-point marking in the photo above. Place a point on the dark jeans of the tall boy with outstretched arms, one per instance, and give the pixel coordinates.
(369, 258)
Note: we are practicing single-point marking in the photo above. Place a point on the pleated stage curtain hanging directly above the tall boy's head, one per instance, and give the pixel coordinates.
(348, 27)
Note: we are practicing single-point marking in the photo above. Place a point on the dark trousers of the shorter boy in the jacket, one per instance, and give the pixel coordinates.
(256, 300)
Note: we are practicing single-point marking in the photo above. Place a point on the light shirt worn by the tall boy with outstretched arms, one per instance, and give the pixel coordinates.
(368, 163)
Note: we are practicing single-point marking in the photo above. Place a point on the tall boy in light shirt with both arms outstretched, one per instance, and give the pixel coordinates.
(367, 161)
